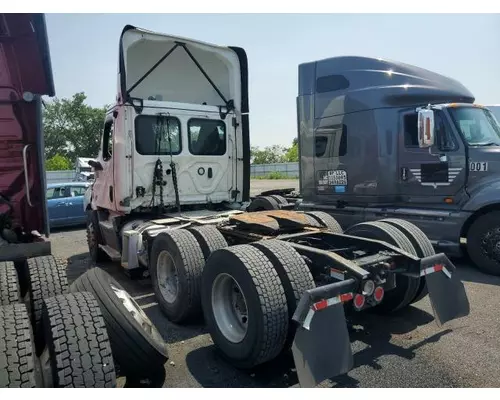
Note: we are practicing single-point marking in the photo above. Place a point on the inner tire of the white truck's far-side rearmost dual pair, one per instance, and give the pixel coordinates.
(406, 287)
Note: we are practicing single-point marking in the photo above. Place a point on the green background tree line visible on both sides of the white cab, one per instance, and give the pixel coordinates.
(73, 129)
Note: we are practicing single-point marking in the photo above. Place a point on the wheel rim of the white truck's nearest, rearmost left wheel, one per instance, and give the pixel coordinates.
(230, 308)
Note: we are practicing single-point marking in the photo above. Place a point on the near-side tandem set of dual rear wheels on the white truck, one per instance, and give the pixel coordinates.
(247, 293)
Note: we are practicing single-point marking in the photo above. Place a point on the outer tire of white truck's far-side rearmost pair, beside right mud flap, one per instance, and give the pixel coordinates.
(422, 245)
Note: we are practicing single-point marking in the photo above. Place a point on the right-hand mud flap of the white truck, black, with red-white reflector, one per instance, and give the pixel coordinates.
(446, 291)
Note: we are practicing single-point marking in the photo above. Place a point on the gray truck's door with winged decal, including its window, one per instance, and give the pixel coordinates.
(429, 175)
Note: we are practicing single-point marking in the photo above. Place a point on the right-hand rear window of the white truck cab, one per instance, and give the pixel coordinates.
(207, 137)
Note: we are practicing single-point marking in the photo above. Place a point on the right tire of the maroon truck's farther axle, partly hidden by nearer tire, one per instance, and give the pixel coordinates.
(47, 278)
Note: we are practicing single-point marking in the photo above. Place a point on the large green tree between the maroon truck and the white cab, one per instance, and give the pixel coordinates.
(72, 128)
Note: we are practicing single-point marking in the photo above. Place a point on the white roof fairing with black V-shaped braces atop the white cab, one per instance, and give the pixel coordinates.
(180, 70)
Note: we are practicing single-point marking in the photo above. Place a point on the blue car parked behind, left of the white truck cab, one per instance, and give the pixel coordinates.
(65, 203)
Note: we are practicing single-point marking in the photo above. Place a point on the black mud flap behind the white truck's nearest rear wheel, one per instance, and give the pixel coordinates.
(321, 347)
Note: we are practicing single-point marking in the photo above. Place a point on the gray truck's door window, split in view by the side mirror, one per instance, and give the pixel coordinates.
(444, 138)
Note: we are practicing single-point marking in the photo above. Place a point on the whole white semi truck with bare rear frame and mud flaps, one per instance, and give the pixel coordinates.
(169, 198)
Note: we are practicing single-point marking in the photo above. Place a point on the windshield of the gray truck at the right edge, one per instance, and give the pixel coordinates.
(478, 126)
